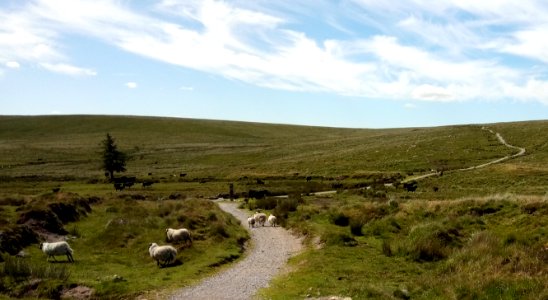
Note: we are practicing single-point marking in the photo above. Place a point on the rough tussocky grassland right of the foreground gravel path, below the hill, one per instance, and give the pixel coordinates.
(470, 248)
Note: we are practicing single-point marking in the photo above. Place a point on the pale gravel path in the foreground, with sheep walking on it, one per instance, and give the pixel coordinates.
(270, 250)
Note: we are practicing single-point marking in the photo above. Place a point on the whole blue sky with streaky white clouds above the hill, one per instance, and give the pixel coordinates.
(354, 63)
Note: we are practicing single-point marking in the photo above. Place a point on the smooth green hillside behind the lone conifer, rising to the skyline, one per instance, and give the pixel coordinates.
(68, 147)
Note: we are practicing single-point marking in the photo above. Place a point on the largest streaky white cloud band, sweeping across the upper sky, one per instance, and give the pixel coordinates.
(443, 51)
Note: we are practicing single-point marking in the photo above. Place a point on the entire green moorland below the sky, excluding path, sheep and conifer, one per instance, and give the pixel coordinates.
(476, 234)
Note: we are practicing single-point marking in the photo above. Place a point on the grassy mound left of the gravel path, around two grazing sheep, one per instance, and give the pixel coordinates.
(111, 247)
